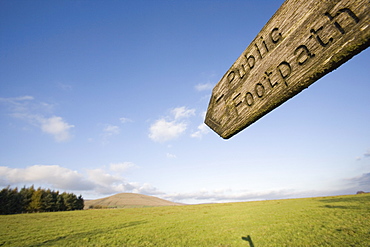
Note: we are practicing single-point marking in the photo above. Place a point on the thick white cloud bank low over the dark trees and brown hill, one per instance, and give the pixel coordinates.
(96, 181)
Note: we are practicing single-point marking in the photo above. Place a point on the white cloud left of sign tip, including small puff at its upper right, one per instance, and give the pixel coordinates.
(170, 127)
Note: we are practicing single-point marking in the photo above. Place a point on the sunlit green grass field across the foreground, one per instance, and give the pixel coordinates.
(324, 221)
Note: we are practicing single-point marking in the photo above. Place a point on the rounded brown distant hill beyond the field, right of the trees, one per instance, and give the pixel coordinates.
(128, 200)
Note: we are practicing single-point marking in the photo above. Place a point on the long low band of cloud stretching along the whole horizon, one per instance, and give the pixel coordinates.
(101, 182)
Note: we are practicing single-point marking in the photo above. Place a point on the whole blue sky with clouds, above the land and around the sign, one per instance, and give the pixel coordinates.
(104, 97)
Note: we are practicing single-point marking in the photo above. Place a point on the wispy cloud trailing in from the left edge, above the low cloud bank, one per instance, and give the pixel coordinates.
(35, 113)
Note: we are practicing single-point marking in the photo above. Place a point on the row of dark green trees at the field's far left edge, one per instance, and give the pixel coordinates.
(31, 200)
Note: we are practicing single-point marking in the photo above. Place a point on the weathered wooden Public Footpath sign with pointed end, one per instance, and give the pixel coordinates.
(303, 41)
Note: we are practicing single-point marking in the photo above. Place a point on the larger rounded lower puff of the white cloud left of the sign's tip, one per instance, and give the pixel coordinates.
(162, 130)
